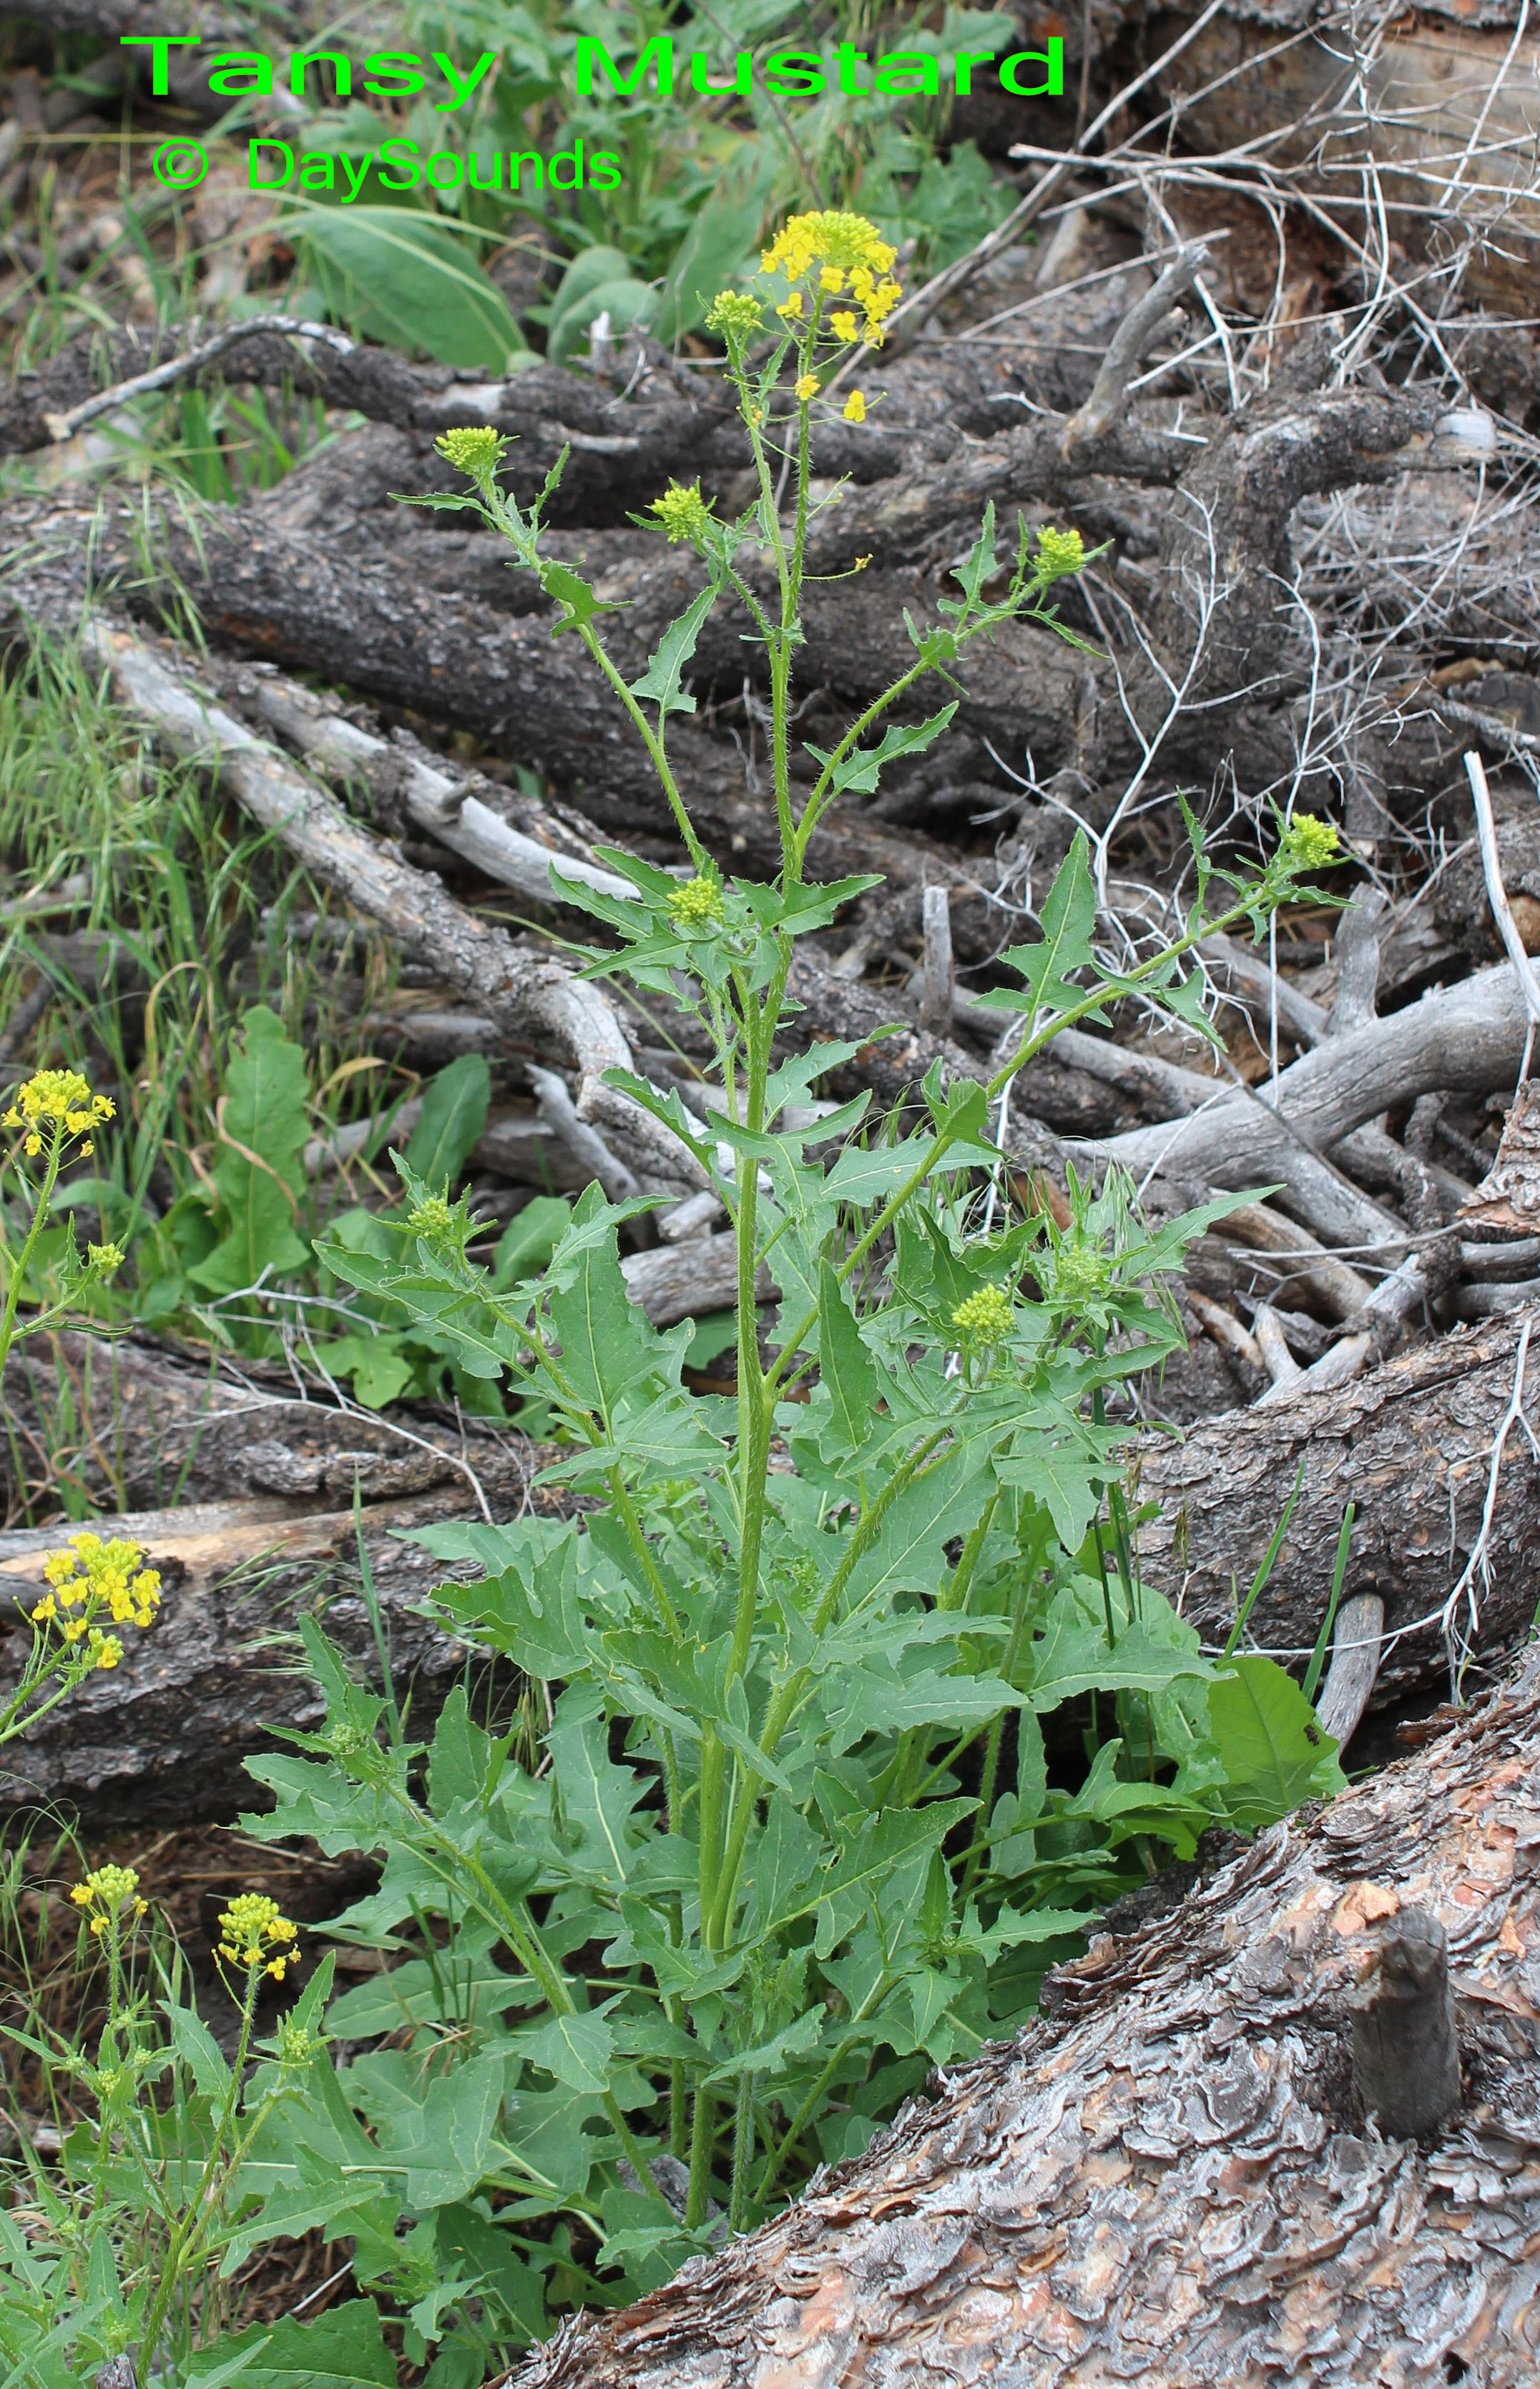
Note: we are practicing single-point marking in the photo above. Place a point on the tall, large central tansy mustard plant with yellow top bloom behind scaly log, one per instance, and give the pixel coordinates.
(789, 1836)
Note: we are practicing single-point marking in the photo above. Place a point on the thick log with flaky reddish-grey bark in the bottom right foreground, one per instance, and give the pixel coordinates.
(1174, 2178)
